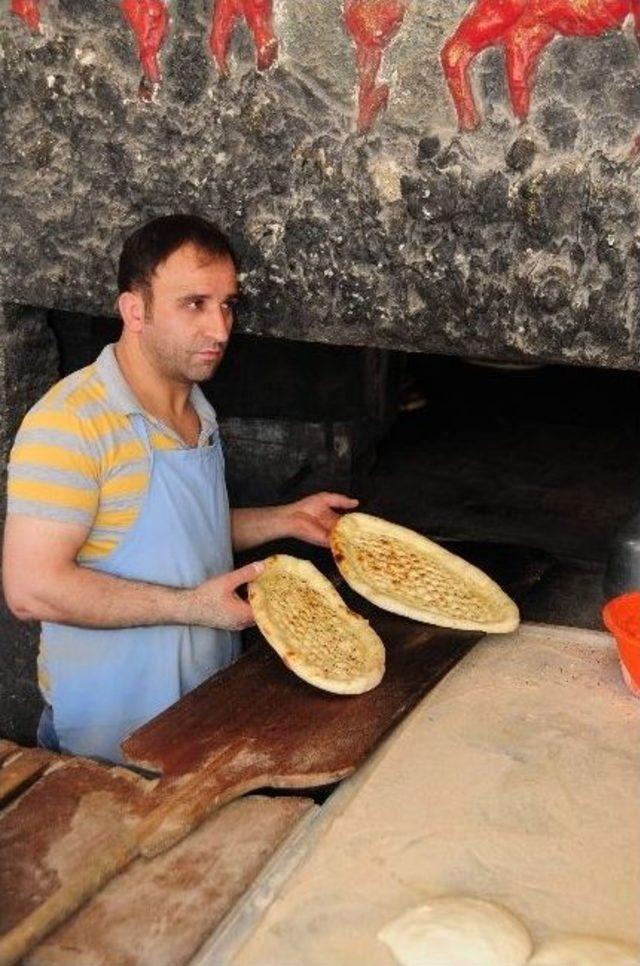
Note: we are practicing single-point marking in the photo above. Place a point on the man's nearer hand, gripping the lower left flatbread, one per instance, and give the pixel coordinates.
(216, 603)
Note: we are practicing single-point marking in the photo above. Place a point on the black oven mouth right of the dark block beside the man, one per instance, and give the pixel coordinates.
(538, 459)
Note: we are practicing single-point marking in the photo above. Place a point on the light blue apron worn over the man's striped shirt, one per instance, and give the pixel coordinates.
(106, 683)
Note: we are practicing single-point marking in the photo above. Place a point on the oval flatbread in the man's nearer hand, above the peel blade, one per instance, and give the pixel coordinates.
(307, 623)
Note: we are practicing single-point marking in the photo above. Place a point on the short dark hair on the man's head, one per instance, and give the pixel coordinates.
(151, 244)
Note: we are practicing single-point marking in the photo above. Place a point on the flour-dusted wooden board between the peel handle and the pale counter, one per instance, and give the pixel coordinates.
(159, 911)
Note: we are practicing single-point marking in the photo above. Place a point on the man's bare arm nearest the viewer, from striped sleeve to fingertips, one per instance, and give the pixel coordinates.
(42, 581)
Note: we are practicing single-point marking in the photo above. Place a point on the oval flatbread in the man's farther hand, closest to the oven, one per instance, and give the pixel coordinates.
(404, 572)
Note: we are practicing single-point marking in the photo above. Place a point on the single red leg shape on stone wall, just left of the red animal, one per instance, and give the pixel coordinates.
(372, 24)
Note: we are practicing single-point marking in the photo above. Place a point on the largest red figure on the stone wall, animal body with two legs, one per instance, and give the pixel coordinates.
(524, 28)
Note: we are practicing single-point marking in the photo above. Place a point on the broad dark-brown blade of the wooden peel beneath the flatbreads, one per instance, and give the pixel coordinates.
(256, 725)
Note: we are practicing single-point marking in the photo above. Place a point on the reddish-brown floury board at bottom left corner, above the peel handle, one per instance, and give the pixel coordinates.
(59, 842)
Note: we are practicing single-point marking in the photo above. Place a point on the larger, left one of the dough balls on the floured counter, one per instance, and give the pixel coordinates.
(458, 931)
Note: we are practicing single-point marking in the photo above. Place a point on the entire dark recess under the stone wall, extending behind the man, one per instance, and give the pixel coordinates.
(535, 463)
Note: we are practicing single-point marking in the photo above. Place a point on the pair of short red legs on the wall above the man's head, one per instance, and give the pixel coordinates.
(258, 15)
